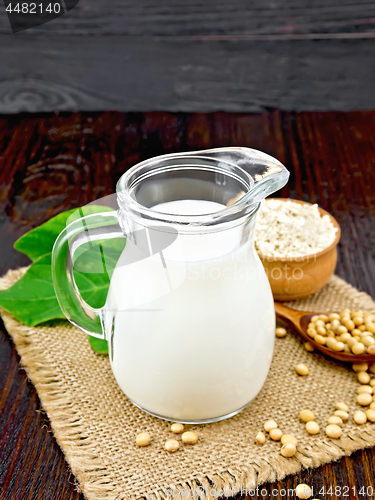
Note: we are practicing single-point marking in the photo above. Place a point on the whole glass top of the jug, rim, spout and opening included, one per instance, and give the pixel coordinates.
(235, 179)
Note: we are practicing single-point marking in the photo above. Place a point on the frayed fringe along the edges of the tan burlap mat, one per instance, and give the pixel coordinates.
(96, 481)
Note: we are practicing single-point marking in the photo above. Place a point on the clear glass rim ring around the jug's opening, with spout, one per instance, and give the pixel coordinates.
(258, 173)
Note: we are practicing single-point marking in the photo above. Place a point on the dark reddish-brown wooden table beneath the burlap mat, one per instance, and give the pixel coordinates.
(49, 163)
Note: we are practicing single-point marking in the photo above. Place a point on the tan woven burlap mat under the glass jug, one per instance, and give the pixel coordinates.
(95, 424)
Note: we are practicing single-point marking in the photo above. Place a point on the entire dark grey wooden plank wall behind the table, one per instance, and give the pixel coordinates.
(235, 56)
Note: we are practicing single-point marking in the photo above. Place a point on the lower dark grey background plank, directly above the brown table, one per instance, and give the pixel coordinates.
(126, 74)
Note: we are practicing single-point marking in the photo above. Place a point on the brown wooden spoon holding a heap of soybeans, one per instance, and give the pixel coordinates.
(301, 319)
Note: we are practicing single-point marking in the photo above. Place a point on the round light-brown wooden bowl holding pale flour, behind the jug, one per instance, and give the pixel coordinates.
(293, 278)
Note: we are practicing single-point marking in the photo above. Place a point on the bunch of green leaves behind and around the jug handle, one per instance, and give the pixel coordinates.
(32, 299)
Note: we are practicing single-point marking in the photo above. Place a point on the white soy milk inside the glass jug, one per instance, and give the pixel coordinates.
(191, 331)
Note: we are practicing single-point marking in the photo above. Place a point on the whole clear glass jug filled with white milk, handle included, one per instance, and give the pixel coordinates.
(189, 316)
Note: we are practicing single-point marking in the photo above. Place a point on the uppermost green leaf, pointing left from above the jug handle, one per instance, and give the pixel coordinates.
(39, 241)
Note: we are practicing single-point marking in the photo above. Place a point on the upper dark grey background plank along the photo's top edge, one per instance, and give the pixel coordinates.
(211, 18)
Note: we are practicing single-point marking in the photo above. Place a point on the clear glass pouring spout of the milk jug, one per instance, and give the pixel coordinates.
(266, 174)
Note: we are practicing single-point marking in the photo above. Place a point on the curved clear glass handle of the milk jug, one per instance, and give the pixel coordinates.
(86, 229)
